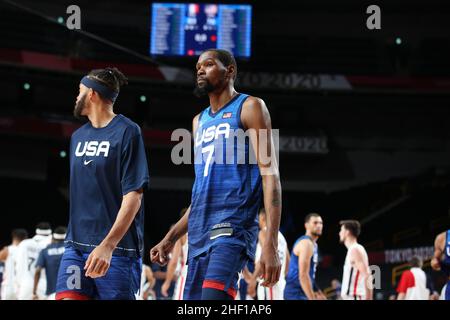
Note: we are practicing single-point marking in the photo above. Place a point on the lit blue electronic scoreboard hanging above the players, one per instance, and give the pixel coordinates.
(187, 29)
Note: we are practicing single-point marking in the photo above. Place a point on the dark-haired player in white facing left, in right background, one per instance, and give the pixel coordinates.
(357, 278)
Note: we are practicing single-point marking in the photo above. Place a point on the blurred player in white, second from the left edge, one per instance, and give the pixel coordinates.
(25, 263)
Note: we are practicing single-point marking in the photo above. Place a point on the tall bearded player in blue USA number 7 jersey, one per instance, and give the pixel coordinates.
(222, 219)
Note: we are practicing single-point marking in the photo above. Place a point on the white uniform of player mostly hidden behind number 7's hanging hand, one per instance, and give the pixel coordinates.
(277, 291)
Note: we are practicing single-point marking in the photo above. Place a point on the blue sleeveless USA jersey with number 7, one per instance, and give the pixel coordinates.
(227, 192)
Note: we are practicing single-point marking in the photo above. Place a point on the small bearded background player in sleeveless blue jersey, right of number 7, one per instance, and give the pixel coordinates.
(300, 280)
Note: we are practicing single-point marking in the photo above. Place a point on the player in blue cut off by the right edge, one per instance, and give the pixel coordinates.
(441, 259)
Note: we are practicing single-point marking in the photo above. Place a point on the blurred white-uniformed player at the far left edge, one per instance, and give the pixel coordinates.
(7, 254)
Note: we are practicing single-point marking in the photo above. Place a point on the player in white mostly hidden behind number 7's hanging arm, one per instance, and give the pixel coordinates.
(275, 292)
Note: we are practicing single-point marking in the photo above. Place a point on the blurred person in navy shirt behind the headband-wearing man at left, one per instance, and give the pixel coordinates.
(49, 259)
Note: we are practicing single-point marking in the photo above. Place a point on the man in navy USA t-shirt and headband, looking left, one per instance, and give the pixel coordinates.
(108, 172)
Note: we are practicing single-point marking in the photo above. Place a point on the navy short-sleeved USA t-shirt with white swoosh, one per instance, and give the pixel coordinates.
(106, 164)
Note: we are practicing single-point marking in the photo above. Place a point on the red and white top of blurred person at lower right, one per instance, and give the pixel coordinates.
(413, 284)
